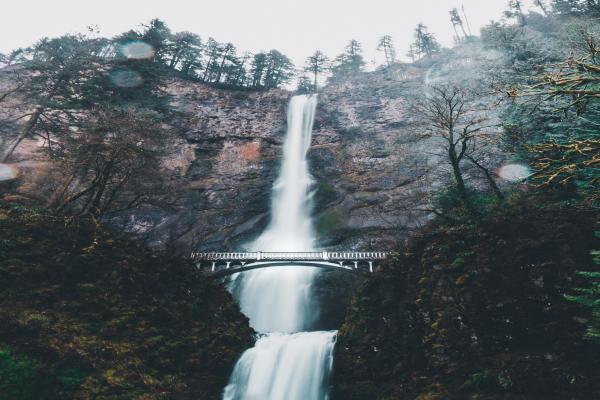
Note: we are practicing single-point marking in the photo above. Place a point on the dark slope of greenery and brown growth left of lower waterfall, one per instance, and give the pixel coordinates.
(85, 313)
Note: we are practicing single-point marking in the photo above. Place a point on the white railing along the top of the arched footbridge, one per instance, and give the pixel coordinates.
(292, 256)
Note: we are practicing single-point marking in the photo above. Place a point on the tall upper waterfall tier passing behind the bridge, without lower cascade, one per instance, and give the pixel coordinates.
(278, 300)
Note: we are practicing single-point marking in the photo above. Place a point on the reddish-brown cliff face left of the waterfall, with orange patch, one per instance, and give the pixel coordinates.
(231, 146)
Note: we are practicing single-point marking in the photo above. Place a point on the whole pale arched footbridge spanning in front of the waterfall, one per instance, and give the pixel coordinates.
(224, 264)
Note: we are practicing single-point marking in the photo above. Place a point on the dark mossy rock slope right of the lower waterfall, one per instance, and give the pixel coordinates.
(476, 311)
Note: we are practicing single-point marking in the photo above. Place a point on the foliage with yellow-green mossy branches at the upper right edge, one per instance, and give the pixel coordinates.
(563, 110)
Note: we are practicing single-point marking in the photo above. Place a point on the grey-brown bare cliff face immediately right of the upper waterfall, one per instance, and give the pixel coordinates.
(366, 161)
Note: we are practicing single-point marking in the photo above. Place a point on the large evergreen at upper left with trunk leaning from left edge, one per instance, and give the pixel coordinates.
(63, 77)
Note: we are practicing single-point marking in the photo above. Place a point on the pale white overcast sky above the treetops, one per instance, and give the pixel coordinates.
(295, 27)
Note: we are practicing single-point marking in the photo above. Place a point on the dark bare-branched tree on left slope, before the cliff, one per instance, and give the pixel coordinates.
(113, 165)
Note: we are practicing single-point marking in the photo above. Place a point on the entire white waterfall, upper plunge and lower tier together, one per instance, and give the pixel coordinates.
(288, 362)
